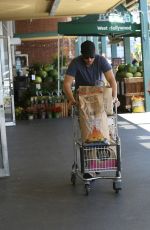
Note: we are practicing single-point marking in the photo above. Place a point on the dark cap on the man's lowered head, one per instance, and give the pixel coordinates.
(88, 49)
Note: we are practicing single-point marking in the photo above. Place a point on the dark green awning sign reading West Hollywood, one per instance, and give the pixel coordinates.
(93, 26)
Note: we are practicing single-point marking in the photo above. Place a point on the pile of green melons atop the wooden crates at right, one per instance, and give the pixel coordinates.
(129, 71)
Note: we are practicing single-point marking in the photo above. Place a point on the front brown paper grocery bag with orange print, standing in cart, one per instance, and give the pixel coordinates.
(92, 116)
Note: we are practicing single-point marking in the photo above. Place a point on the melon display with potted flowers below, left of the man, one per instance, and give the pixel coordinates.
(40, 96)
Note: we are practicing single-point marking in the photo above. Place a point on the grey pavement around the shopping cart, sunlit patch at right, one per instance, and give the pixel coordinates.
(39, 195)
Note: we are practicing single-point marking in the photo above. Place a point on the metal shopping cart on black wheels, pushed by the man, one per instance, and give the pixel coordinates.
(97, 160)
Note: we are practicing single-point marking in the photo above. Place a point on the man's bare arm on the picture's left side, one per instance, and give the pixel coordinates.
(68, 81)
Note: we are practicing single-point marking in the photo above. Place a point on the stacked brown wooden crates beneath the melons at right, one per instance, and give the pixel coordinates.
(127, 88)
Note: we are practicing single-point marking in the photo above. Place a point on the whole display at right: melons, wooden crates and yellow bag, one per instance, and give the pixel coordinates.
(130, 85)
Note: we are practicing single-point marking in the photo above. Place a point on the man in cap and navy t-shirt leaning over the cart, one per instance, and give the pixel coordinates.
(87, 69)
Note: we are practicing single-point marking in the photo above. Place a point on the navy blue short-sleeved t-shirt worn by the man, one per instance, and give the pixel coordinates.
(87, 75)
